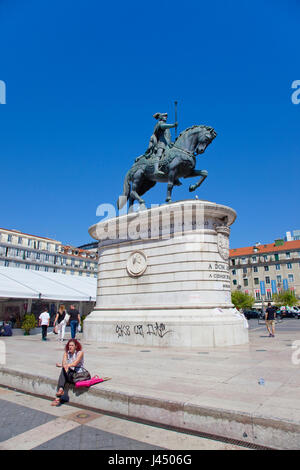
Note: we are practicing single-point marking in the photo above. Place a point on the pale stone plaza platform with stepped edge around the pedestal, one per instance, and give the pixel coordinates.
(248, 393)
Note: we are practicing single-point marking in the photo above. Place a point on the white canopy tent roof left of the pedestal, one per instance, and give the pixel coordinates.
(27, 284)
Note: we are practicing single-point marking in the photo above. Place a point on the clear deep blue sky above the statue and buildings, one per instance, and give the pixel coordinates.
(83, 80)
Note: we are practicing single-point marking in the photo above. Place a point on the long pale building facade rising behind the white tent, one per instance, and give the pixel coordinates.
(22, 250)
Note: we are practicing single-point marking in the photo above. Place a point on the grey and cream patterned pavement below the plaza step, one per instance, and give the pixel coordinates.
(28, 422)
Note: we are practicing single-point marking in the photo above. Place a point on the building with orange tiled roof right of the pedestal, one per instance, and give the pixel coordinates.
(262, 270)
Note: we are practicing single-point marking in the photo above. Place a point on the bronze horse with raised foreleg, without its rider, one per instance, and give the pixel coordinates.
(179, 160)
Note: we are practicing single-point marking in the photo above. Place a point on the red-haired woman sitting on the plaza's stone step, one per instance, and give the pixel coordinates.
(72, 362)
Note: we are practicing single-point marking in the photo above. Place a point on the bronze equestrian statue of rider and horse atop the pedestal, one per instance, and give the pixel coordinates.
(165, 161)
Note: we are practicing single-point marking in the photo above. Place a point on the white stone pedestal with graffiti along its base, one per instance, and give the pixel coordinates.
(163, 278)
